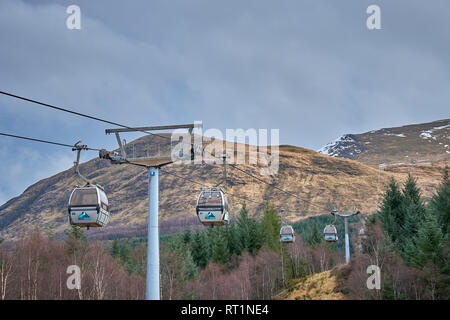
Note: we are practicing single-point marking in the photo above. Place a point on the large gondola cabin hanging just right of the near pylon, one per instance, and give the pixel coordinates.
(212, 207)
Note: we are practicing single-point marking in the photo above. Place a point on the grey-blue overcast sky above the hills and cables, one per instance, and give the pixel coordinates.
(309, 68)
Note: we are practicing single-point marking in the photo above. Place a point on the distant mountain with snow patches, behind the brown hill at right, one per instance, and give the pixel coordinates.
(420, 143)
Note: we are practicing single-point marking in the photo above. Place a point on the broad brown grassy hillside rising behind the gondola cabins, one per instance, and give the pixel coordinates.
(320, 181)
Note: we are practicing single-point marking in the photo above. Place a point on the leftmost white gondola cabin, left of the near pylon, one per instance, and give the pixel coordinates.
(88, 207)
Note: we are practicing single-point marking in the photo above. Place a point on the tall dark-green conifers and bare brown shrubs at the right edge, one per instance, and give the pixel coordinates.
(409, 240)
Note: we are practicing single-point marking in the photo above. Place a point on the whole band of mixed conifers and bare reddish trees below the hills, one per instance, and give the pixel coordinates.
(407, 238)
